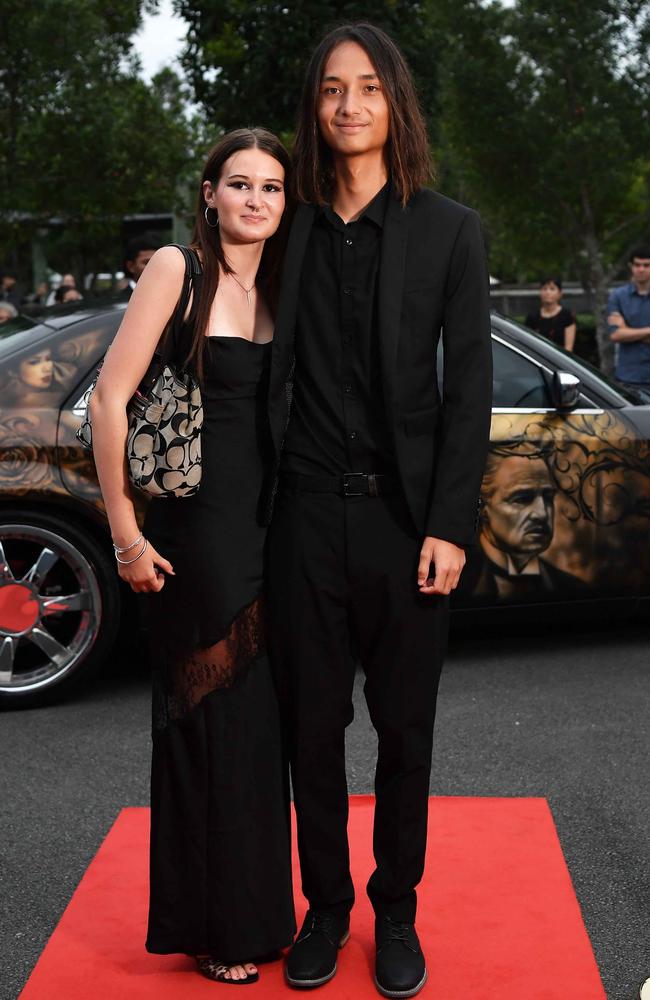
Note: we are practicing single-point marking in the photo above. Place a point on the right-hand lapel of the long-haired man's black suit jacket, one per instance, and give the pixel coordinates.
(391, 287)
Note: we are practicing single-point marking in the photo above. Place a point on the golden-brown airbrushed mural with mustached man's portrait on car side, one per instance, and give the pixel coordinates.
(565, 510)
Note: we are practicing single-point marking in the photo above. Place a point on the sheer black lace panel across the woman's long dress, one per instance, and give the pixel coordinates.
(191, 676)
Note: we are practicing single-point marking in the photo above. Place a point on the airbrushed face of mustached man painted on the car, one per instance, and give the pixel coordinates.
(519, 515)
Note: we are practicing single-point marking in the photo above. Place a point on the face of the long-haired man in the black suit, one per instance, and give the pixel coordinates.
(353, 113)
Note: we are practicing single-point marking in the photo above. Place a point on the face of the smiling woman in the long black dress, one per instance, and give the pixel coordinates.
(248, 197)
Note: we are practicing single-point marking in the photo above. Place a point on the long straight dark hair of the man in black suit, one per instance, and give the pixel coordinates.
(409, 159)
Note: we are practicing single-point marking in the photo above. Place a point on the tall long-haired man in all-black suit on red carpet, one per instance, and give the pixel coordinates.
(379, 478)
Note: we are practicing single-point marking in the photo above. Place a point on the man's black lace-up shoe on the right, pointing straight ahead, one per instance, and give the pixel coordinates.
(399, 967)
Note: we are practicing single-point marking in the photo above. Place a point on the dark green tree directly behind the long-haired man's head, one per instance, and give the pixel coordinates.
(246, 62)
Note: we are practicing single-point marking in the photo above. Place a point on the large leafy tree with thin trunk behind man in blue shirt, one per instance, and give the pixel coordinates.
(547, 131)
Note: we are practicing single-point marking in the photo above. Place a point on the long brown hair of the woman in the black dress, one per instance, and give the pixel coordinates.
(207, 240)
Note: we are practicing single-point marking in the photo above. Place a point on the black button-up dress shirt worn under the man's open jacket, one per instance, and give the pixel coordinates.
(338, 421)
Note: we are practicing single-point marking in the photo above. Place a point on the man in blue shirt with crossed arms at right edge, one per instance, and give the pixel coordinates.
(628, 315)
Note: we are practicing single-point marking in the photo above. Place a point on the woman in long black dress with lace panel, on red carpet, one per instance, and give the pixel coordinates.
(220, 846)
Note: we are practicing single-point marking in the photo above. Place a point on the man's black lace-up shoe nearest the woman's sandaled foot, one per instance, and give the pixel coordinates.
(312, 960)
